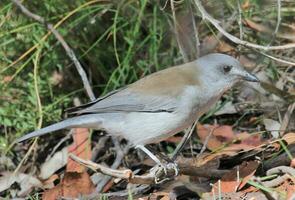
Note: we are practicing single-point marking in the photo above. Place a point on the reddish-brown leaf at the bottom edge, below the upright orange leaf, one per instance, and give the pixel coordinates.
(73, 185)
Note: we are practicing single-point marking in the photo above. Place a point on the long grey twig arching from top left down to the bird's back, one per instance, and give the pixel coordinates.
(67, 48)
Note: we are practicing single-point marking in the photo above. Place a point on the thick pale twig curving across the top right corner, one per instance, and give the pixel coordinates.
(216, 24)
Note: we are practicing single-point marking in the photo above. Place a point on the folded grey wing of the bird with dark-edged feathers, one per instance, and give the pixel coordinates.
(127, 101)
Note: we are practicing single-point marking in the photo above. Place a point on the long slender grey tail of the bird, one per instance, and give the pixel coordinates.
(84, 121)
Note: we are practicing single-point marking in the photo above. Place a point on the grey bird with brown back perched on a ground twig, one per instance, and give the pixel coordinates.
(159, 105)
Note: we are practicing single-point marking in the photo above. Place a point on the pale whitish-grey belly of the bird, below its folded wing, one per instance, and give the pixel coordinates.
(145, 128)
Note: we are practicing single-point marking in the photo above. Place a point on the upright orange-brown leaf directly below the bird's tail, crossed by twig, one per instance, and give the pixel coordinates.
(81, 147)
